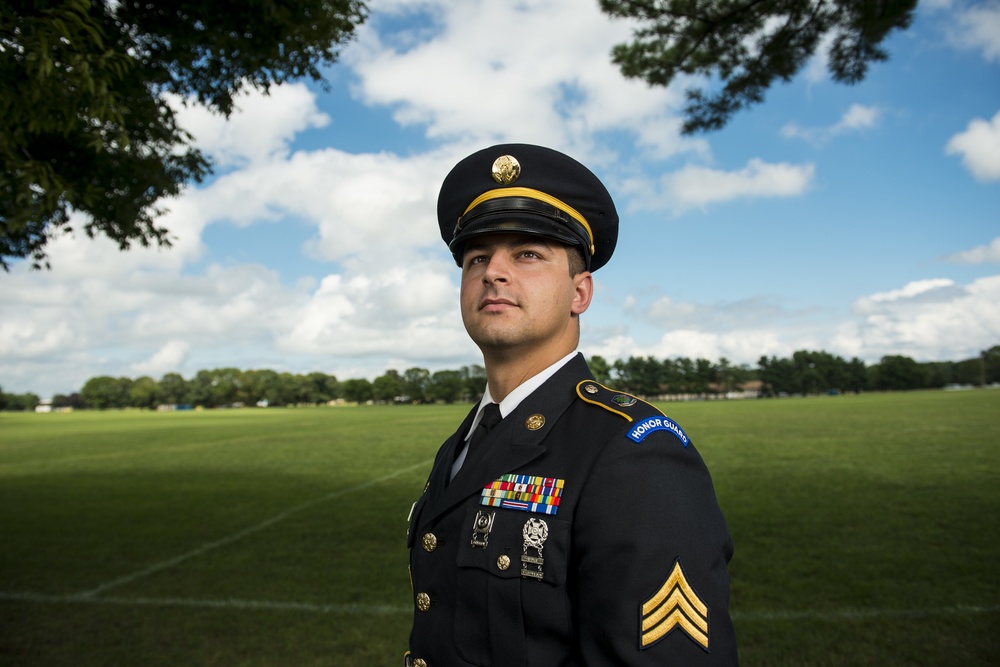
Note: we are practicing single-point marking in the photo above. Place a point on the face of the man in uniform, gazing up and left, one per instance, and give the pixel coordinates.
(517, 294)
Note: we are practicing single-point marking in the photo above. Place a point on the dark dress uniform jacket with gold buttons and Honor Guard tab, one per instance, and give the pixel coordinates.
(635, 559)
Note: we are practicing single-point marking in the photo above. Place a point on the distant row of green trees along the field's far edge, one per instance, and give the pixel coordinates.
(804, 373)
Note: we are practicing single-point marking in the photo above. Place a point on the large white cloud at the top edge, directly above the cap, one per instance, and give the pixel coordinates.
(536, 71)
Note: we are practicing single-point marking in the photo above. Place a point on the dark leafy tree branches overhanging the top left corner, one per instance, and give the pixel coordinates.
(88, 125)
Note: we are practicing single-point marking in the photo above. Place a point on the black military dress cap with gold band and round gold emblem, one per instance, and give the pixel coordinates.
(521, 188)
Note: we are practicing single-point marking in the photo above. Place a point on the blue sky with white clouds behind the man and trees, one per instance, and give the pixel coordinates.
(860, 220)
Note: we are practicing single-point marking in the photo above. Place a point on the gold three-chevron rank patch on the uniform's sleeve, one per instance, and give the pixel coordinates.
(674, 606)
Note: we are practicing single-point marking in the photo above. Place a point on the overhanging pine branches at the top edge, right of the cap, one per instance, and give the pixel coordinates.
(748, 45)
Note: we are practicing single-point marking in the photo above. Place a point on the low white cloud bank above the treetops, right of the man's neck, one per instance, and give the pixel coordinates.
(935, 319)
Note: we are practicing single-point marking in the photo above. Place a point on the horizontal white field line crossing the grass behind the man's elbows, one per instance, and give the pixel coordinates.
(388, 609)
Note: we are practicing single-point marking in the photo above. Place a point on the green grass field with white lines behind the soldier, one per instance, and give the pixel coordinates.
(867, 531)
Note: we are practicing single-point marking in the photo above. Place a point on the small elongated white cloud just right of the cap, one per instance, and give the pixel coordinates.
(696, 187)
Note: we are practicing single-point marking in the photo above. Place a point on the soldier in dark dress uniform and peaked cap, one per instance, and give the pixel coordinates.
(564, 523)
